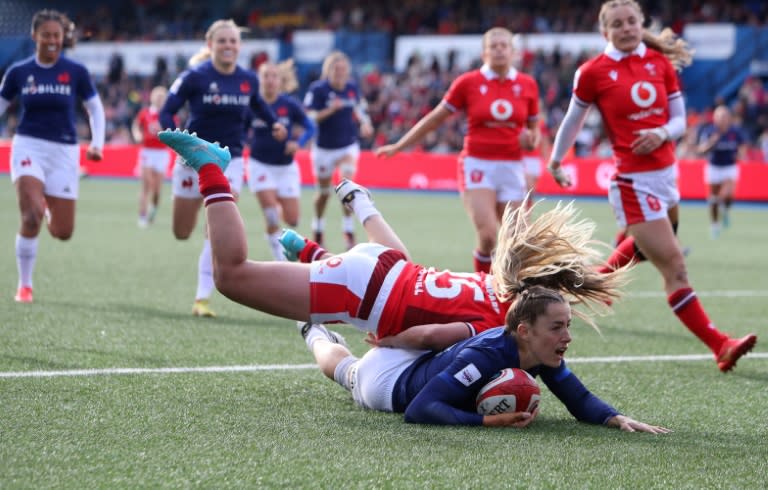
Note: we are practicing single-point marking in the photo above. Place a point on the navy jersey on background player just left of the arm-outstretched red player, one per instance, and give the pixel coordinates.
(340, 129)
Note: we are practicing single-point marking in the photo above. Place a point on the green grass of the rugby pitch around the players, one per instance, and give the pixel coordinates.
(119, 297)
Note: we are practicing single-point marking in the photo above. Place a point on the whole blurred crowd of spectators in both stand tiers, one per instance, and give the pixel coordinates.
(397, 100)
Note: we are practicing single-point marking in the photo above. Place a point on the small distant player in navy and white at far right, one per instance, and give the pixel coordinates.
(725, 144)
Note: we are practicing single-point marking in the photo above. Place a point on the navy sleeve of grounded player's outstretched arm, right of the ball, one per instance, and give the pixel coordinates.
(580, 402)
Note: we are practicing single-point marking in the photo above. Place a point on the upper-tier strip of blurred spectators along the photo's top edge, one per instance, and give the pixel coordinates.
(167, 19)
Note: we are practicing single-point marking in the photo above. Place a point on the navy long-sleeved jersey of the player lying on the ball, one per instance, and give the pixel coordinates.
(441, 387)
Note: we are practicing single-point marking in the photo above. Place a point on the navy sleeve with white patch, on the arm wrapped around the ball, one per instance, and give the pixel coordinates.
(446, 398)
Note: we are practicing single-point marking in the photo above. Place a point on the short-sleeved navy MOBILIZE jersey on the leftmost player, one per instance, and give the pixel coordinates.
(48, 97)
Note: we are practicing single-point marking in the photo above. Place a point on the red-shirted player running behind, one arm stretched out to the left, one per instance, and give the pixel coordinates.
(502, 108)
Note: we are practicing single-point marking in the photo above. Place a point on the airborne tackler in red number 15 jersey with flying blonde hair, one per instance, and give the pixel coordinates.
(376, 287)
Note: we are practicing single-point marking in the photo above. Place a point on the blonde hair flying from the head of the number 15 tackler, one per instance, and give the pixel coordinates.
(555, 251)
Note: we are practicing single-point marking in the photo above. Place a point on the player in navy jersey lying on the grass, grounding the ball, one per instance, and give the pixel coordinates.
(440, 387)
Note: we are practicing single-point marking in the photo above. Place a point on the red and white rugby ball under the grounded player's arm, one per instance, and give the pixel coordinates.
(511, 390)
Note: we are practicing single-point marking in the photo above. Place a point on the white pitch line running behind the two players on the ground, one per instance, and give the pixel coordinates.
(284, 367)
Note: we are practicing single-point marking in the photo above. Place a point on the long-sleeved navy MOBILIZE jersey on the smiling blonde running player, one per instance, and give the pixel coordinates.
(219, 104)
